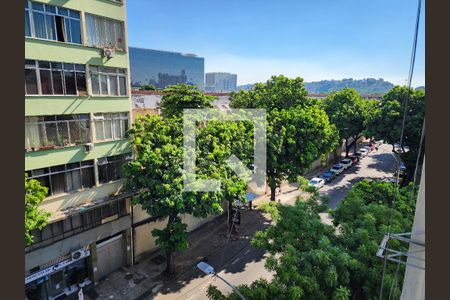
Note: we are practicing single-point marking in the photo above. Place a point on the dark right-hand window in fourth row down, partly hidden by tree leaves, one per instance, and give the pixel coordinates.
(110, 168)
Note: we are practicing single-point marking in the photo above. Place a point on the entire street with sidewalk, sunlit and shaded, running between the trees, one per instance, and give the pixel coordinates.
(234, 259)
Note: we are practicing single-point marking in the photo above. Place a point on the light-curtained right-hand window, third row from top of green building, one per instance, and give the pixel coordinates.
(110, 126)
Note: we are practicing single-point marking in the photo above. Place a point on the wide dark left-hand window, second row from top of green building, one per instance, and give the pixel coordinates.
(54, 78)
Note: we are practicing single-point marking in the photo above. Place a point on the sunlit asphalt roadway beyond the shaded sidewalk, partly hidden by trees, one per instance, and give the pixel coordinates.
(248, 264)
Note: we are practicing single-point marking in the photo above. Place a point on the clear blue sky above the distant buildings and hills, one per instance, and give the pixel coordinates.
(314, 39)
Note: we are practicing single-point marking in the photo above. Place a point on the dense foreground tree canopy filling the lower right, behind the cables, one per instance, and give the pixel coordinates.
(313, 260)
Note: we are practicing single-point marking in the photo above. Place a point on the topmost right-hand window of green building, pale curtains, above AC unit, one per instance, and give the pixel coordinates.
(103, 32)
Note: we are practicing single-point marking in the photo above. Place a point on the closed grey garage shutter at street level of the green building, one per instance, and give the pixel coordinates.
(110, 255)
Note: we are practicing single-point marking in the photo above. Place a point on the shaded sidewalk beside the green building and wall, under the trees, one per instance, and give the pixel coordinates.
(207, 243)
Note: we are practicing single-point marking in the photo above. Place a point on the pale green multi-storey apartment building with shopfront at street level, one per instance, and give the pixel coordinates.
(77, 111)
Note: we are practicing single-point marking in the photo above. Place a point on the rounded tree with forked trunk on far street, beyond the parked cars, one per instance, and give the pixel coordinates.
(348, 111)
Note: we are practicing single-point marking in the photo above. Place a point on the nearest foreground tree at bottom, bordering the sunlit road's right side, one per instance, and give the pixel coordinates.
(307, 261)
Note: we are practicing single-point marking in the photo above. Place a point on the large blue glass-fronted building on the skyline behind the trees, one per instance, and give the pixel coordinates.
(162, 68)
